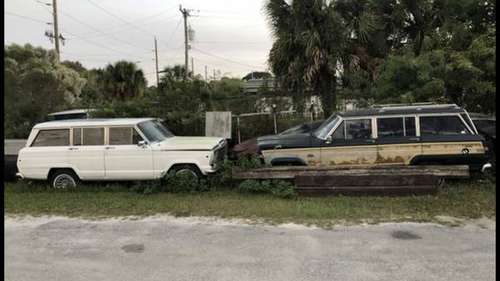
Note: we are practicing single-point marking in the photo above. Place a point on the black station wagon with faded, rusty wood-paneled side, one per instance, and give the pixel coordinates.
(438, 134)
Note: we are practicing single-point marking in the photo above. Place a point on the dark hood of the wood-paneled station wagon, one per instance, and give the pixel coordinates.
(285, 141)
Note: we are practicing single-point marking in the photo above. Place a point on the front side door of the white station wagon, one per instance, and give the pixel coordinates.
(124, 158)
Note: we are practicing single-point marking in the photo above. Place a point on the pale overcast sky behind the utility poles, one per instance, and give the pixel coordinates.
(230, 36)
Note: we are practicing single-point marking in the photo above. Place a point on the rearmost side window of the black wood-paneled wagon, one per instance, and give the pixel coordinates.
(442, 125)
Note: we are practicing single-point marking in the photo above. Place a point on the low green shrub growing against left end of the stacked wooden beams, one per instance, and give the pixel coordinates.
(277, 188)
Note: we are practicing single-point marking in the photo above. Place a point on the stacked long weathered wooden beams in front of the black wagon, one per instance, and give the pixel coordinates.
(322, 180)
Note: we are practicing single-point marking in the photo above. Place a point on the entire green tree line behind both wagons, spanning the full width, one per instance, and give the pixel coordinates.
(367, 51)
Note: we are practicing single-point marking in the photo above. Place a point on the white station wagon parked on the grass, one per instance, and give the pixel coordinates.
(65, 152)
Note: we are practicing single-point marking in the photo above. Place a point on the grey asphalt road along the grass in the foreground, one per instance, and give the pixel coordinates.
(166, 248)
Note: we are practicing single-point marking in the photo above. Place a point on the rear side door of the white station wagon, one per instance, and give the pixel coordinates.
(87, 152)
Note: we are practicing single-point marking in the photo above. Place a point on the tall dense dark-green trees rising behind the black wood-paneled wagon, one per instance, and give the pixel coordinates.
(386, 51)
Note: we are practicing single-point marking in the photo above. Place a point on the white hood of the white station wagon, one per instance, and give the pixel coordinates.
(191, 143)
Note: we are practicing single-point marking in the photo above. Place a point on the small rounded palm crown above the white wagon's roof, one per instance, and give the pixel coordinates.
(123, 80)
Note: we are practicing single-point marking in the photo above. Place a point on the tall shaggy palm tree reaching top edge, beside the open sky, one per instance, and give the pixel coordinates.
(310, 40)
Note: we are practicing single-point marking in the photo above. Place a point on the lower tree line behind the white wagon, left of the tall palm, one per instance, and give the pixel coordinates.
(36, 84)
